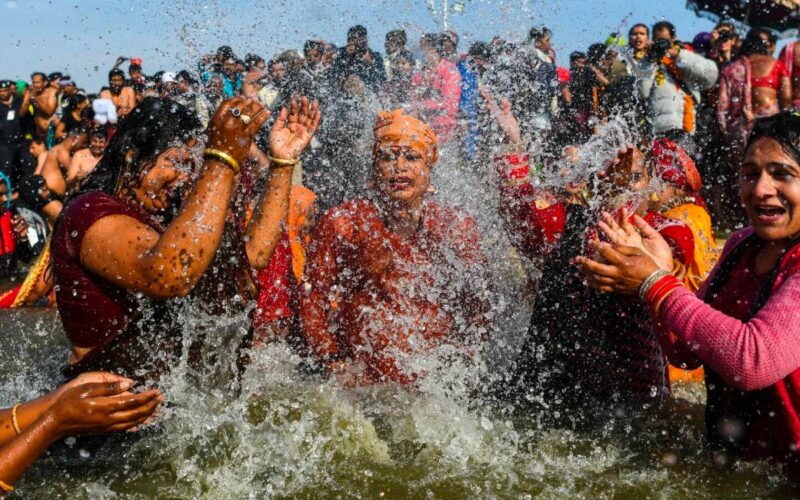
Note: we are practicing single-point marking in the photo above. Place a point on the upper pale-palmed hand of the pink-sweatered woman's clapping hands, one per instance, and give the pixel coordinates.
(641, 236)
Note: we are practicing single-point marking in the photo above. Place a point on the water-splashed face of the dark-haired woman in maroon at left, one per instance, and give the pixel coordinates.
(162, 186)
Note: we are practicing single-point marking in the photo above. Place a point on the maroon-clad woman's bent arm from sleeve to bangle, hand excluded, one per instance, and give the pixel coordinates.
(134, 256)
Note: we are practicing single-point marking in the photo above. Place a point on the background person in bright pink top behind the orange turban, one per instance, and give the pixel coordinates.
(437, 90)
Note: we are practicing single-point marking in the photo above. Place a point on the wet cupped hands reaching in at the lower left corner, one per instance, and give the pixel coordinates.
(102, 405)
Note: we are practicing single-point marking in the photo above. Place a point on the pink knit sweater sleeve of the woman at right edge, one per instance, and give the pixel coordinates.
(748, 356)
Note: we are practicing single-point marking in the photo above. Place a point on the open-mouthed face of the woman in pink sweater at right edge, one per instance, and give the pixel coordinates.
(769, 180)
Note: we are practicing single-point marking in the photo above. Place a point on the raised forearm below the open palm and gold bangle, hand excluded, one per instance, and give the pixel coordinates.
(266, 225)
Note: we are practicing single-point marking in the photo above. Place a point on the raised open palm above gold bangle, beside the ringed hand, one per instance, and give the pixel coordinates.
(293, 129)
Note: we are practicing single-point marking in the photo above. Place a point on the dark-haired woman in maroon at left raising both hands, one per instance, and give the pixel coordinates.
(151, 224)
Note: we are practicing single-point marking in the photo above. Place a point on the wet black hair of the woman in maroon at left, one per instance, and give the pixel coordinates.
(146, 132)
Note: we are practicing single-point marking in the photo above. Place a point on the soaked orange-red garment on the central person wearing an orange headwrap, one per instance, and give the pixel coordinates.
(375, 297)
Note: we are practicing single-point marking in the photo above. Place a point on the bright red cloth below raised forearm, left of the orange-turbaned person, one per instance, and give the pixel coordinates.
(276, 284)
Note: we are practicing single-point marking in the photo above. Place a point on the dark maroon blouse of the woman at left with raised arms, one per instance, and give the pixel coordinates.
(92, 309)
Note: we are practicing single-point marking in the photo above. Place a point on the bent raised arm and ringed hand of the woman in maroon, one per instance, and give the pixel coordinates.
(134, 256)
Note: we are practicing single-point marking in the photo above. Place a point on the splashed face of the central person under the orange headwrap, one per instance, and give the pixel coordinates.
(401, 173)
